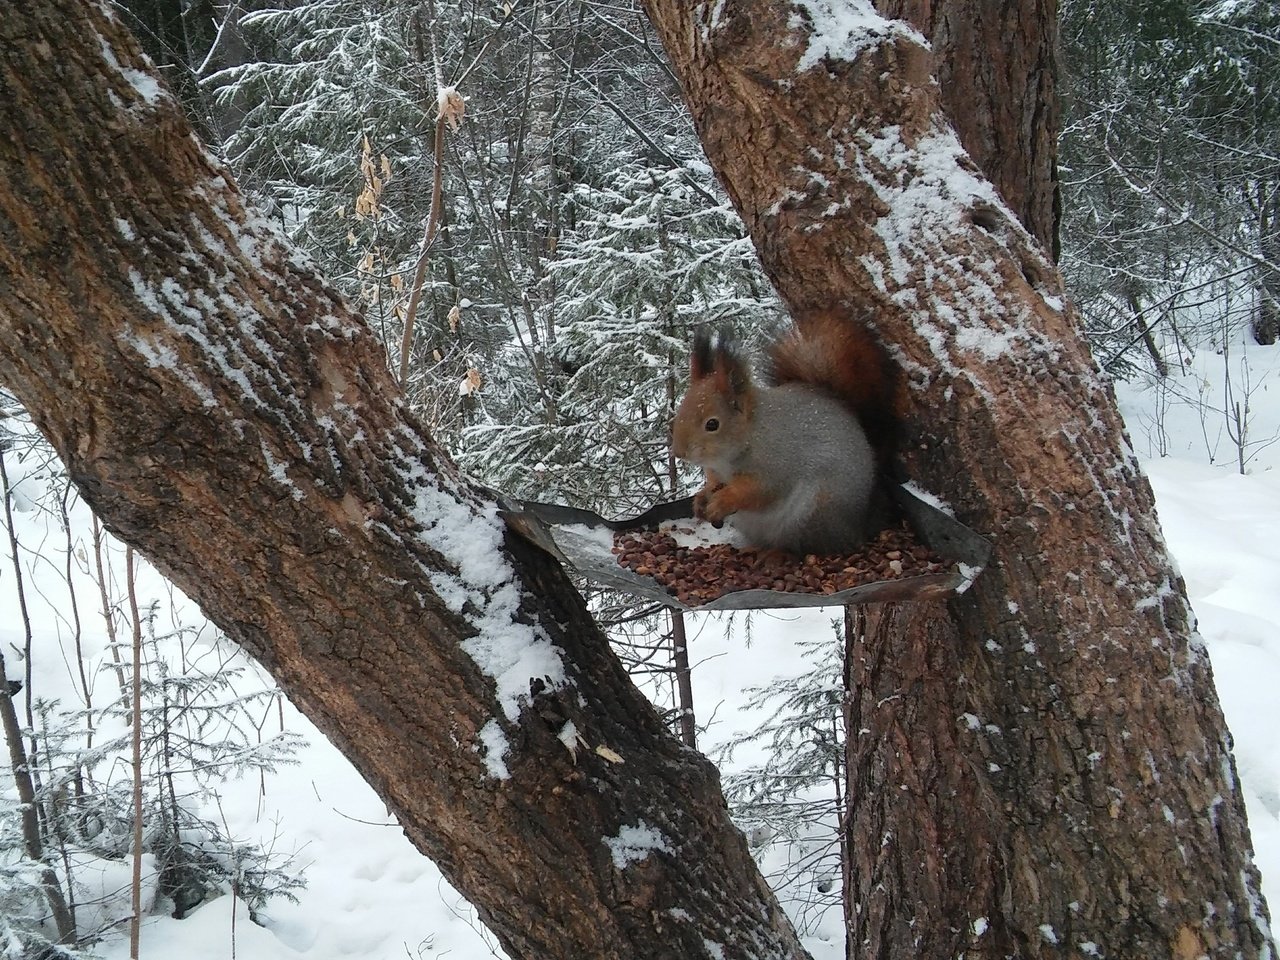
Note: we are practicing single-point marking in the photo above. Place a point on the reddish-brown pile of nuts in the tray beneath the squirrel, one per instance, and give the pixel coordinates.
(697, 575)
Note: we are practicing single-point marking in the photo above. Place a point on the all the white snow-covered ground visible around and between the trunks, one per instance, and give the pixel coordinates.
(371, 895)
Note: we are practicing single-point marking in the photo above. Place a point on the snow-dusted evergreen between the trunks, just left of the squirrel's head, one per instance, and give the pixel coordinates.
(647, 259)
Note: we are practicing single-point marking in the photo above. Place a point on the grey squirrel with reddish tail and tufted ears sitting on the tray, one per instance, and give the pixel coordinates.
(796, 460)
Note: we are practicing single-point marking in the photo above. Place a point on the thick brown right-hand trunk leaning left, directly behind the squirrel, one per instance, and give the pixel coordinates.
(1044, 767)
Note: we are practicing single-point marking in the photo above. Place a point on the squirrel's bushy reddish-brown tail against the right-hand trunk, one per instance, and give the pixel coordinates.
(840, 355)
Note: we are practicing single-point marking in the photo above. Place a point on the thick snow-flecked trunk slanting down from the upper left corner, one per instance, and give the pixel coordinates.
(227, 415)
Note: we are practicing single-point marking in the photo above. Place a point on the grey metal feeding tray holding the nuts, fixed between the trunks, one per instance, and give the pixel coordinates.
(584, 542)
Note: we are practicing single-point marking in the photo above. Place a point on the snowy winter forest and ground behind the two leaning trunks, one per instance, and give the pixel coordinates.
(577, 236)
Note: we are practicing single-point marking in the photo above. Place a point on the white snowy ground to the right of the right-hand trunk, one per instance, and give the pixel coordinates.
(1224, 531)
